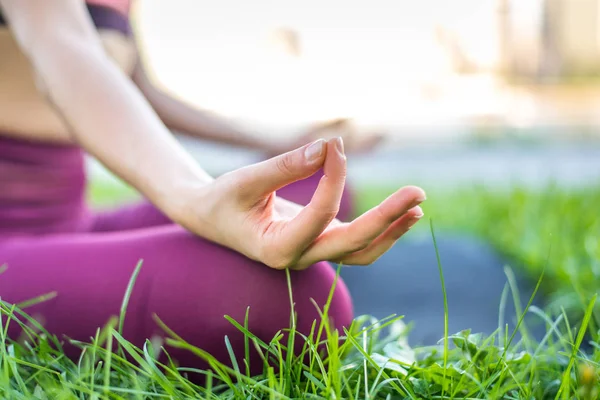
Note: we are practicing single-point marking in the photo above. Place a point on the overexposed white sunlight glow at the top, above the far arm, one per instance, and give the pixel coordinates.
(382, 64)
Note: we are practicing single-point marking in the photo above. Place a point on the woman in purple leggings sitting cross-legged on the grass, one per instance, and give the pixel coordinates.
(210, 246)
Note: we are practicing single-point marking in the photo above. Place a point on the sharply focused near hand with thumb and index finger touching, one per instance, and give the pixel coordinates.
(241, 211)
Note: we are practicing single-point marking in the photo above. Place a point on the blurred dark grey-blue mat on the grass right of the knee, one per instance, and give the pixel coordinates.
(405, 281)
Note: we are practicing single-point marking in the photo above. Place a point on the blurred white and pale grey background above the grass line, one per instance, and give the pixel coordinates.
(427, 73)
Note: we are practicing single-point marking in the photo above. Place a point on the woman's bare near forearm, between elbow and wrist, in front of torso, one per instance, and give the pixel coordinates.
(112, 121)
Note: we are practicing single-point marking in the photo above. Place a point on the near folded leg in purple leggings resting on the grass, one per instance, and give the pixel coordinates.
(190, 283)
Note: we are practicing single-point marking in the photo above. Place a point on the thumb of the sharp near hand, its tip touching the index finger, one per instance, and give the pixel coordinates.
(270, 175)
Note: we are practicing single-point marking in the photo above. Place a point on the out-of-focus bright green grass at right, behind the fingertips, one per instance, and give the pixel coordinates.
(550, 229)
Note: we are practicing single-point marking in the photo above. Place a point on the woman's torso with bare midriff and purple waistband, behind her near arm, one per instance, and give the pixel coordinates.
(42, 173)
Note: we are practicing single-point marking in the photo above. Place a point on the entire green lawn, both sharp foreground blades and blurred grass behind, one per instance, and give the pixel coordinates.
(551, 231)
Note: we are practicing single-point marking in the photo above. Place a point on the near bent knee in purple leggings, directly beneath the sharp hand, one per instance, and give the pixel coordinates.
(206, 282)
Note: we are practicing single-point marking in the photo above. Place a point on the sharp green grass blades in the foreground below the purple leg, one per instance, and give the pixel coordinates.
(363, 365)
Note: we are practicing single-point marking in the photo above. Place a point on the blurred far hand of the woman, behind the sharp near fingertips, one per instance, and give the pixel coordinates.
(354, 141)
